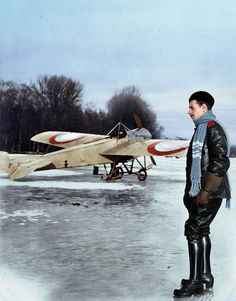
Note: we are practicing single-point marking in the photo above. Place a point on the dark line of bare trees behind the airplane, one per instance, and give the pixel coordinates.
(56, 104)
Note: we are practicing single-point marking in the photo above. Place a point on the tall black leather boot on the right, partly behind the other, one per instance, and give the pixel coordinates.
(207, 277)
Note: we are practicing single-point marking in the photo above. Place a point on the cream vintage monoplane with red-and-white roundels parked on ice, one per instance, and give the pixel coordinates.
(120, 148)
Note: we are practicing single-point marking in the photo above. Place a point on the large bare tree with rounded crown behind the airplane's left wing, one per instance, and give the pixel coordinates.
(59, 96)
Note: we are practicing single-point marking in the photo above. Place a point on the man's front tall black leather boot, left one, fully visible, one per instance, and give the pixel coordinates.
(195, 285)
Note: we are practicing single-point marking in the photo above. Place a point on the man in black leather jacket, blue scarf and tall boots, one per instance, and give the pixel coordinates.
(206, 185)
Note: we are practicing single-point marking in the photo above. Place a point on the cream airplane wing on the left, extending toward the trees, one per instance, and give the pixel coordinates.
(66, 139)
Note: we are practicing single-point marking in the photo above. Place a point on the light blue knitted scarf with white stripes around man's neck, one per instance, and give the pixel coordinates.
(197, 145)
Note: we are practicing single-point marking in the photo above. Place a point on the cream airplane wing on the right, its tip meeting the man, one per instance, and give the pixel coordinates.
(151, 147)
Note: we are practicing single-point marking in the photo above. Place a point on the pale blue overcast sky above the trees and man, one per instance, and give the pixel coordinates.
(167, 48)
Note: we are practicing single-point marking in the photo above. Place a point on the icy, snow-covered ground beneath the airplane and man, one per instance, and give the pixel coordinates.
(67, 235)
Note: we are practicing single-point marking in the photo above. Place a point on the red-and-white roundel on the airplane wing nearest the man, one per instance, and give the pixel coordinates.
(165, 148)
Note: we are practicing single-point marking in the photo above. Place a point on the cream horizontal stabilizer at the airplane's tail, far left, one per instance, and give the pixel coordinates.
(19, 170)
